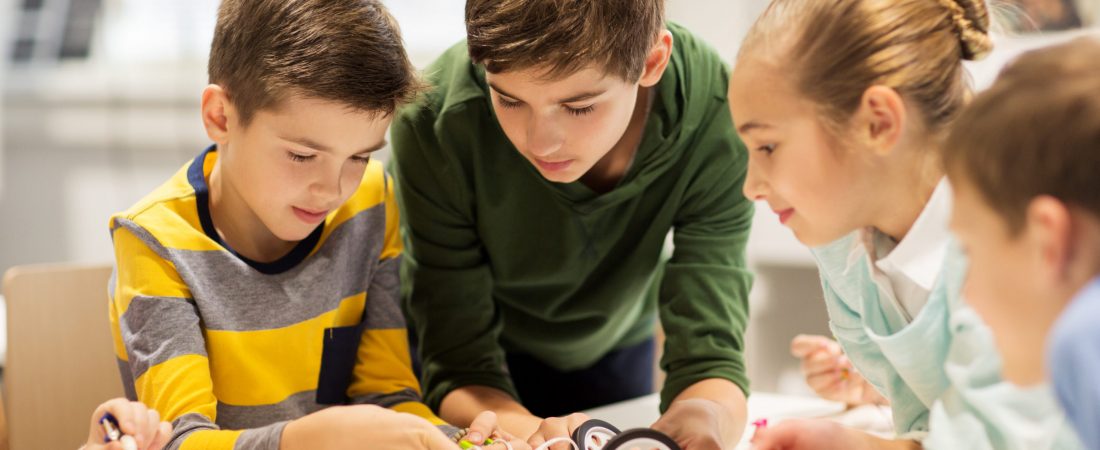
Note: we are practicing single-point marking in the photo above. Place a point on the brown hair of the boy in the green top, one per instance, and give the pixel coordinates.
(564, 37)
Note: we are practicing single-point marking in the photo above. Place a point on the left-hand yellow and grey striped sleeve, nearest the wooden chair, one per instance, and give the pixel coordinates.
(160, 345)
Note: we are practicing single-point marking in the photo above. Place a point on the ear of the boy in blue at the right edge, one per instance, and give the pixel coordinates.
(1049, 226)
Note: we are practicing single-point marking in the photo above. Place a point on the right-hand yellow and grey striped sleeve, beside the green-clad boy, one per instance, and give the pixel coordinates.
(383, 374)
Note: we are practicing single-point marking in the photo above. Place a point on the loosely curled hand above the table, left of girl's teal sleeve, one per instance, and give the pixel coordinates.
(831, 375)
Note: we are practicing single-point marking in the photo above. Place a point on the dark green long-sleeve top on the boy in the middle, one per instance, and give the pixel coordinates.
(502, 260)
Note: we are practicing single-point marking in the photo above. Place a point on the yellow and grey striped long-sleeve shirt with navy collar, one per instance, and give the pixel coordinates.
(230, 349)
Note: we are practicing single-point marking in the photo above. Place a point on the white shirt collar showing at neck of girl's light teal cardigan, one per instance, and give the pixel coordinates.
(907, 271)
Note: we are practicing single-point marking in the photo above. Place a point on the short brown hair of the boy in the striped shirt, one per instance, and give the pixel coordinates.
(345, 51)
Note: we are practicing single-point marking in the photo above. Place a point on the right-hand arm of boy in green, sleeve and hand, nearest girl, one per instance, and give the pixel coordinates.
(703, 298)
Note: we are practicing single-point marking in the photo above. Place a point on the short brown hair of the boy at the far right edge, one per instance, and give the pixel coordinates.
(1037, 131)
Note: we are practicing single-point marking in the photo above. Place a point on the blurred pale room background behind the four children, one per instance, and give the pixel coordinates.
(100, 105)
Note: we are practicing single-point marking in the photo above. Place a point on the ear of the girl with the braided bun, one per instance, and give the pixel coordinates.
(881, 119)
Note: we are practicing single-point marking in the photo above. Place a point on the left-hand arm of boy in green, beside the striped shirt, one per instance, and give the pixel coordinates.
(452, 283)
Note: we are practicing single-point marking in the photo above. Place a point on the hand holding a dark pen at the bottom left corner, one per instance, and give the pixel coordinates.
(137, 422)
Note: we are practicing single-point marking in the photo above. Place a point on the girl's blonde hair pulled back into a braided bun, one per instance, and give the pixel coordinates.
(837, 50)
